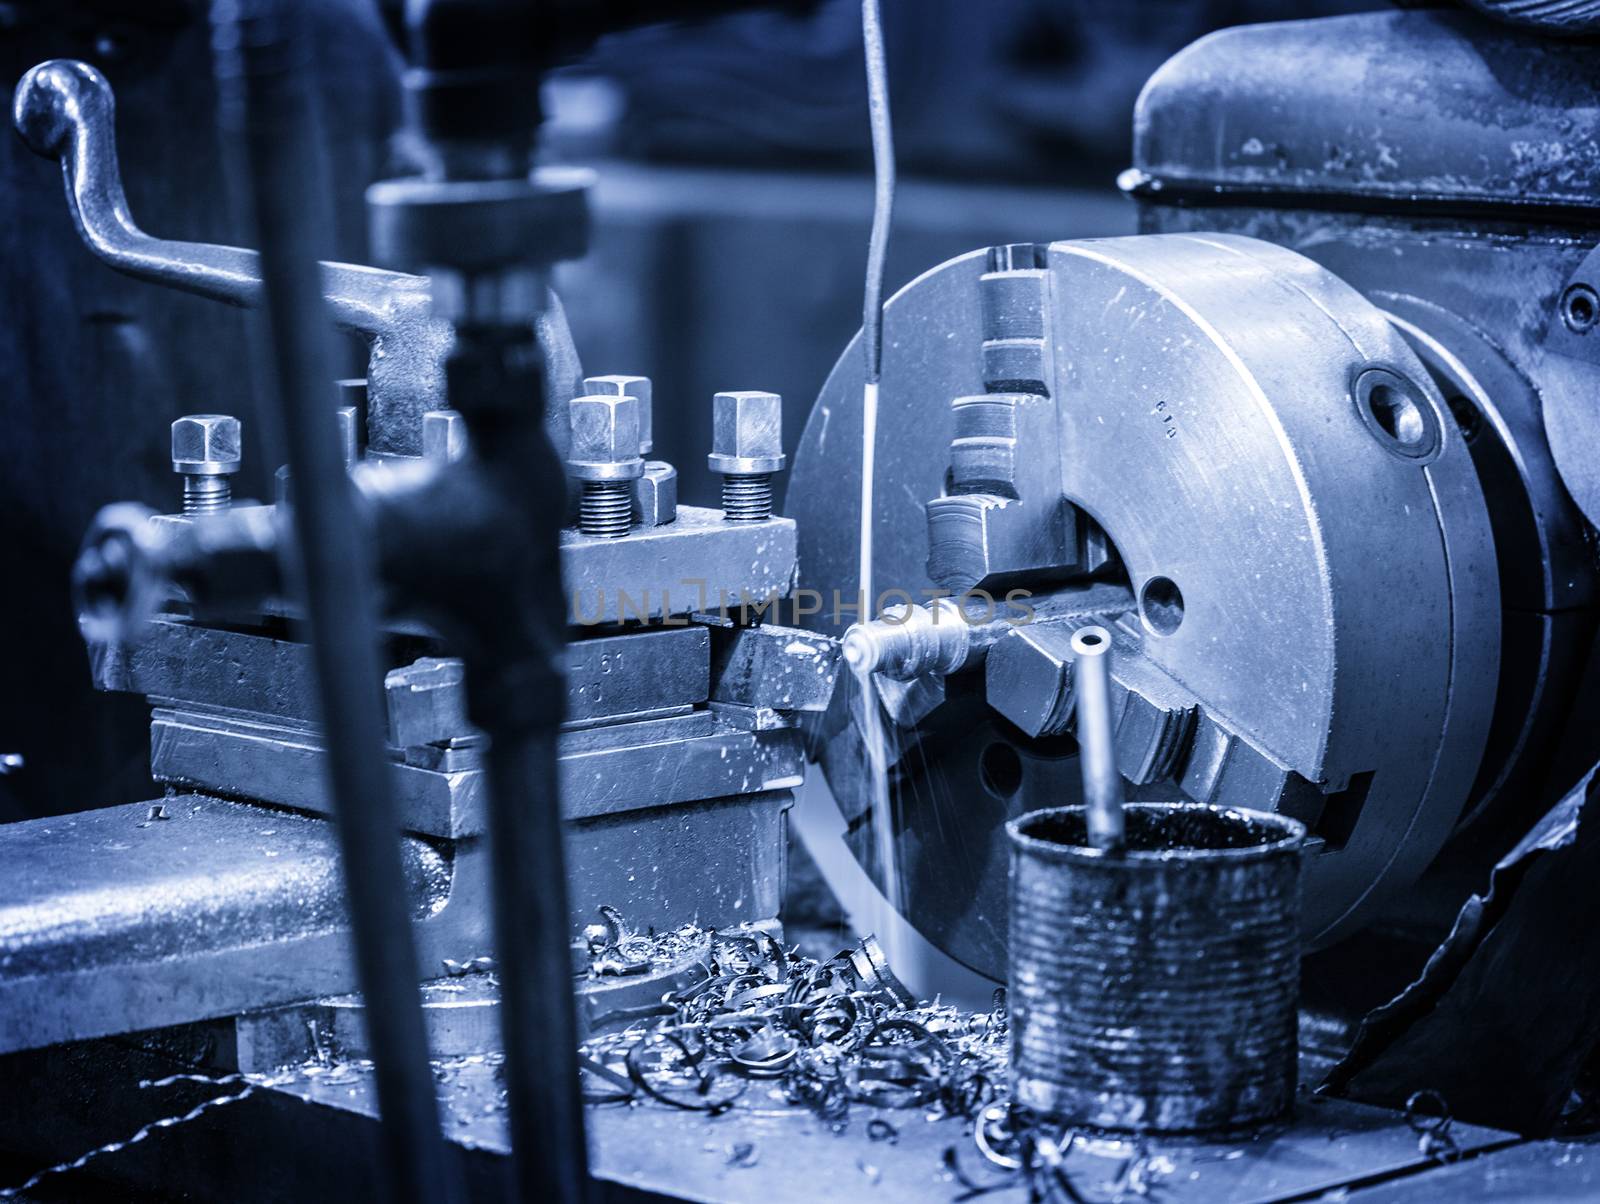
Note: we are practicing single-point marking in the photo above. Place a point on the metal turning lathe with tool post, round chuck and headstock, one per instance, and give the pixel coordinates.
(1316, 447)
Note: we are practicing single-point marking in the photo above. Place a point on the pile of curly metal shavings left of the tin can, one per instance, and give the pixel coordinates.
(828, 1033)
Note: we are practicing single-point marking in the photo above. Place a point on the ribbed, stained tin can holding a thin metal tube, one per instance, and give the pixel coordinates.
(1156, 989)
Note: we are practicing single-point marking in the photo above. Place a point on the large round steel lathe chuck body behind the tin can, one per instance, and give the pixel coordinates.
(1153, 446)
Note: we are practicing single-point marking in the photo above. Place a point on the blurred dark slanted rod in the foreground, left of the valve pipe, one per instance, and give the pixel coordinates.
(265, 94)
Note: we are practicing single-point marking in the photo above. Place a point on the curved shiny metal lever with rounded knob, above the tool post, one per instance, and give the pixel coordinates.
(65, 110)
